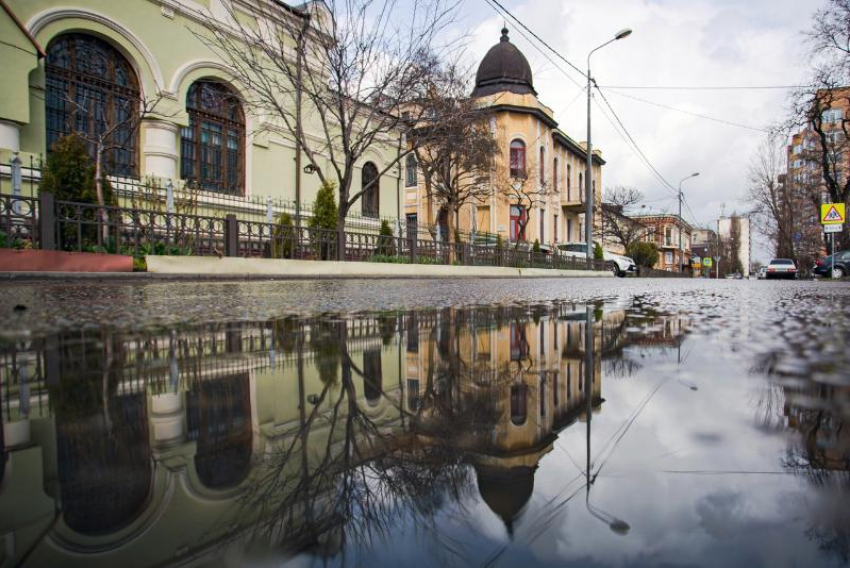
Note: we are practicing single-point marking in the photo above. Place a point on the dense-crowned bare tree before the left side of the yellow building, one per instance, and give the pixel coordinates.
(454, 148)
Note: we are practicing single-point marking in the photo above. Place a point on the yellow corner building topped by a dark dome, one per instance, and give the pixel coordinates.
(536, 159)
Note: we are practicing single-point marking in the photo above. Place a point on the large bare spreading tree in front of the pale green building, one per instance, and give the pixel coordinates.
(338, 90)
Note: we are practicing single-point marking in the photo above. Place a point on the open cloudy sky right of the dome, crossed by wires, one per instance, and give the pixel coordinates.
(681, 43)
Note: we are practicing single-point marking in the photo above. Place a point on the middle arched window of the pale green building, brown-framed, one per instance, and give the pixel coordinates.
(212, 146)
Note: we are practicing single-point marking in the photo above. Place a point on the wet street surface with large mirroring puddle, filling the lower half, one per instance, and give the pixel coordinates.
(398, 423)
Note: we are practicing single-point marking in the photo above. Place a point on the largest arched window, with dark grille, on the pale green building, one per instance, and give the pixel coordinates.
(90, 88)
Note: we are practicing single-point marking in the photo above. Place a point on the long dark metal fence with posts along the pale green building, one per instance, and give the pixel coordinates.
(42, 222)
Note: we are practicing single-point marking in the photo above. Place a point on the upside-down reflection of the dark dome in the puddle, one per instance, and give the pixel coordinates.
(506, 490)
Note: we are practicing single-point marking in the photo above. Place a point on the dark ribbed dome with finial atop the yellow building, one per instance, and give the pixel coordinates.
(504, 68)
